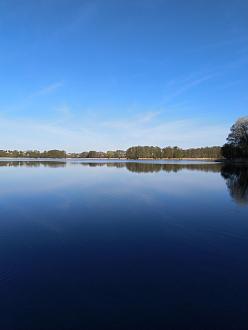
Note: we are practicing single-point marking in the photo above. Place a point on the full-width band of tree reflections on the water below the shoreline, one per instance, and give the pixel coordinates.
(236, 176)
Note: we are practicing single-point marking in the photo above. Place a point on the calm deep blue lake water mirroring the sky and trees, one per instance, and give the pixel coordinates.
(123, 246)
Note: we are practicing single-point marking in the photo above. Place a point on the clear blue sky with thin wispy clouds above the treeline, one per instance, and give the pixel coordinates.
(110, 74)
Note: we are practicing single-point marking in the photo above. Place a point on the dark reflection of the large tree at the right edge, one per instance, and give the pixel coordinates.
(237, 182)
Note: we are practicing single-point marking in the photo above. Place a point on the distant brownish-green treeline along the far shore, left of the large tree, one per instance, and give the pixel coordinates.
(137, 152)
